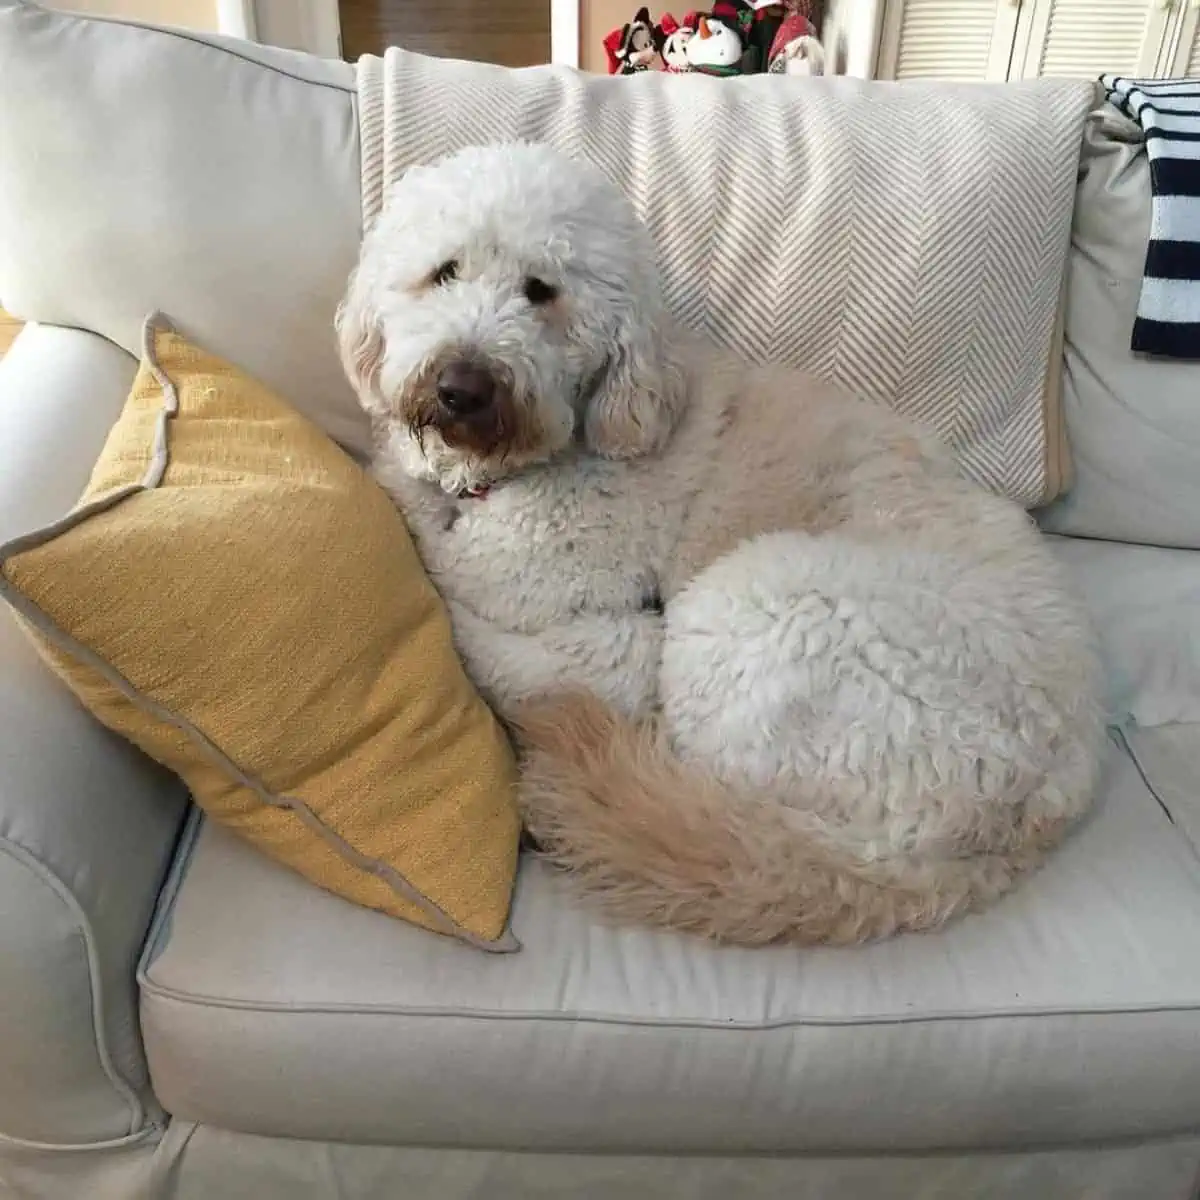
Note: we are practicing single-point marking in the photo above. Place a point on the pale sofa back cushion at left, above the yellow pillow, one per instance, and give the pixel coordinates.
(221, 183)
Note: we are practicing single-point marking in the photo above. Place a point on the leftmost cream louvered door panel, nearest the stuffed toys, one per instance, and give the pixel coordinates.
(946, 40)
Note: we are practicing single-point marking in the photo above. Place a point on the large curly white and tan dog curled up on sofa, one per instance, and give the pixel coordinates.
(778, 673)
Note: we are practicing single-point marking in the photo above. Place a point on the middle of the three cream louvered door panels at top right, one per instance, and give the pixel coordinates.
(1084, 39)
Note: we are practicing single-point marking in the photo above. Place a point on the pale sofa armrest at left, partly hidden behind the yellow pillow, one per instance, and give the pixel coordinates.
(88, 825)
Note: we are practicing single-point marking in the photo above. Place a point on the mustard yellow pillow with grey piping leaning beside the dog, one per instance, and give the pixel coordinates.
(239, 599)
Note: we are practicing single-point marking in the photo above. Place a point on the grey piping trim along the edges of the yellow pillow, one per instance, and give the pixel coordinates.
(506, 944)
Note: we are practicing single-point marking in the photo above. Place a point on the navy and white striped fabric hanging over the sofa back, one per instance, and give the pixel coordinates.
(1168, 321)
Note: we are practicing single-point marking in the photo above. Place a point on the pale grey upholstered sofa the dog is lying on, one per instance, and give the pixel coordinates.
(182, 1019)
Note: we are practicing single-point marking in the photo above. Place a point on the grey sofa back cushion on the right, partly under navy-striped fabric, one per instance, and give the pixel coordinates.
(1133, 422)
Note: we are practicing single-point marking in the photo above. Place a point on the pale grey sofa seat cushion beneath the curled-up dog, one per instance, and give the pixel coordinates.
(1069, 1013)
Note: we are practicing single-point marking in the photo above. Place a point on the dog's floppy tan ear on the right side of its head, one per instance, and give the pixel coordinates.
(641, 393)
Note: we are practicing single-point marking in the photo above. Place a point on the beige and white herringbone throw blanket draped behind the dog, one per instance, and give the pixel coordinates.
(907, 242)
